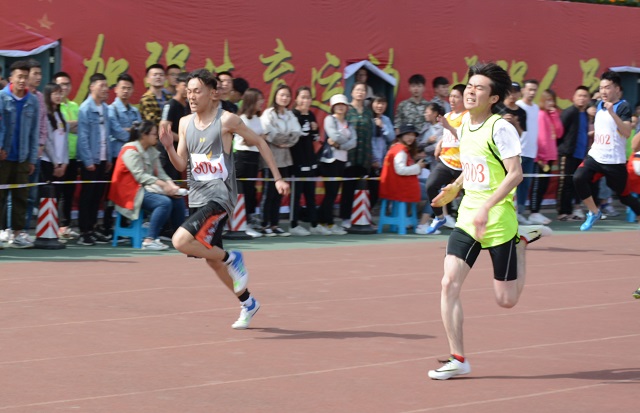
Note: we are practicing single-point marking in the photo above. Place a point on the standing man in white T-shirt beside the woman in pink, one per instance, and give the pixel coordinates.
(529, 144)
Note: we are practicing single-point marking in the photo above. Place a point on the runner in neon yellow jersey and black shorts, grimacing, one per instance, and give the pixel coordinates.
(490, 160)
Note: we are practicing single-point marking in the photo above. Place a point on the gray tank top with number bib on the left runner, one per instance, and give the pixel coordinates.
(212, 175)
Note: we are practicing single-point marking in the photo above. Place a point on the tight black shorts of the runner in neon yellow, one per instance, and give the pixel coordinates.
(503, 256)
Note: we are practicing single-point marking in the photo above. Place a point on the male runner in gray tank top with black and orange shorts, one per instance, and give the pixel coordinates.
(204, 147)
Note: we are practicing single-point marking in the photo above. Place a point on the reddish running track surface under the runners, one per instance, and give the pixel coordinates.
(342, 329)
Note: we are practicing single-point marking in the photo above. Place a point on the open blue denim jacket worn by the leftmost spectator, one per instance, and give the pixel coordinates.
(29, 125)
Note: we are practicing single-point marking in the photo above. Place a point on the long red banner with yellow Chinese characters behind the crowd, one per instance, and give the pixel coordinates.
(309, 43)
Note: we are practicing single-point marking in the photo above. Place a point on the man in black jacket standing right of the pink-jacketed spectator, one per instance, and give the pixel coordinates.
(572, 148)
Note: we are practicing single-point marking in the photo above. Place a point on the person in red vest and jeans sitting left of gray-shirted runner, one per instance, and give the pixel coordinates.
(140, 183)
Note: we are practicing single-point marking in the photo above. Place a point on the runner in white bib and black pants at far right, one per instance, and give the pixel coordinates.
(607, 156)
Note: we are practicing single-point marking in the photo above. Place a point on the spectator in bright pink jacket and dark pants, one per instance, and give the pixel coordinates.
(550, 129)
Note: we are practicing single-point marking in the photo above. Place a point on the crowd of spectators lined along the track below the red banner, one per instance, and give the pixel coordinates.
(47, 137)
